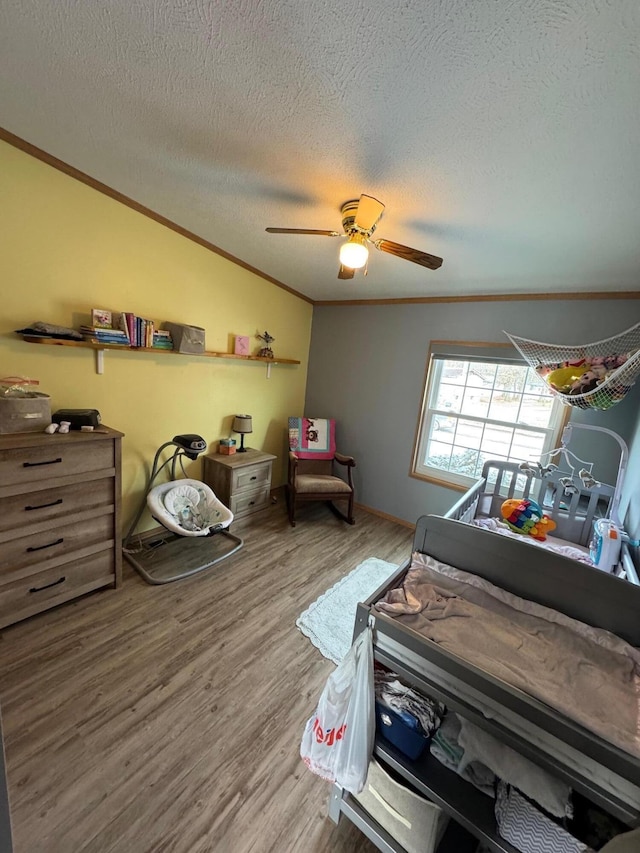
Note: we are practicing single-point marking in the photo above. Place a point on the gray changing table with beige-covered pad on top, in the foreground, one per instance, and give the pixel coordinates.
(584, 733)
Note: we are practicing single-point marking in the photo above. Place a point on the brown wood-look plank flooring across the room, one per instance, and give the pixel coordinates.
(151, 719)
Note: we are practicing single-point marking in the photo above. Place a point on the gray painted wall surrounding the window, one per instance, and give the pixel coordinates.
(367, 367)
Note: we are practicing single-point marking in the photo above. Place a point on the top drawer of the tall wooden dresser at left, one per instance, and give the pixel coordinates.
(34, 464)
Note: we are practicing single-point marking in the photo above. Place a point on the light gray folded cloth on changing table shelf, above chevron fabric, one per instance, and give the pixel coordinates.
(550, 793)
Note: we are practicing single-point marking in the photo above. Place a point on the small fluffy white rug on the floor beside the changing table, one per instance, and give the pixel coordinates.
(329, 621)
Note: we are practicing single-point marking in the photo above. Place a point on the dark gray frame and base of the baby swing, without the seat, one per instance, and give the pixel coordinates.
(161, 555)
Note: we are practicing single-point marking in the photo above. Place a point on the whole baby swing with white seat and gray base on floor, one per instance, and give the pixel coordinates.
(191, 516)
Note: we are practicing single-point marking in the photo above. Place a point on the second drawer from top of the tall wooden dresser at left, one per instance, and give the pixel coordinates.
(49, 507)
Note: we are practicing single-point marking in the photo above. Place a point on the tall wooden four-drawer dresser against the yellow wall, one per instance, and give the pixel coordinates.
(59, 518)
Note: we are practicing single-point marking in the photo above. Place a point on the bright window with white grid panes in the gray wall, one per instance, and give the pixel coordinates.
(476, 409)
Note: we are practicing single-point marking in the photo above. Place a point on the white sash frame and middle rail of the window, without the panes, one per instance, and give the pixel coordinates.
(428, 412)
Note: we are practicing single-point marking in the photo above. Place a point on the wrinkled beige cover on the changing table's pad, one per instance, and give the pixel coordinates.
(588, 674)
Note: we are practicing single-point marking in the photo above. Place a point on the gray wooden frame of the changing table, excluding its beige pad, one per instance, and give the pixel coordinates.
(605, 774)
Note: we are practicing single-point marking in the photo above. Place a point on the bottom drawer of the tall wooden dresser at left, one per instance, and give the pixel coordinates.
(30, 595)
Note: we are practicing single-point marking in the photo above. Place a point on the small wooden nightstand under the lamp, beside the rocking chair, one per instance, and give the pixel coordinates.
(241, 481)
